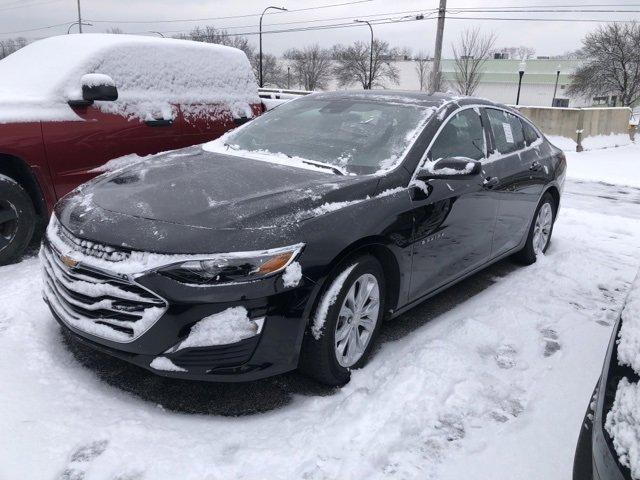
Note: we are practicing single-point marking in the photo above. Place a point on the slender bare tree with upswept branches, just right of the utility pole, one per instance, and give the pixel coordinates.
(470, 54)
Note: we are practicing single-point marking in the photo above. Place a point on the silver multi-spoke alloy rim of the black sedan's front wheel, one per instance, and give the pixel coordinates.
(357, 320)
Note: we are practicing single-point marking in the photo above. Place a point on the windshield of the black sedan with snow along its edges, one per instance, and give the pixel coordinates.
(355, 135)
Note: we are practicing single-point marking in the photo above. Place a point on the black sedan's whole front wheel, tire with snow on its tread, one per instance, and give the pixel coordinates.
(320, 358)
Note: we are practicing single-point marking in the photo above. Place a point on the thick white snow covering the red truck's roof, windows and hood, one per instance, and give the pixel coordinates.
(150, 73)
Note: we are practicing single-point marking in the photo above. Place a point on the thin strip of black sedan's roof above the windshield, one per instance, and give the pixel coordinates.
(409, 97)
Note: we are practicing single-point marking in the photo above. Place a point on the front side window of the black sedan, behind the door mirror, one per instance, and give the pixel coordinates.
(462, 136)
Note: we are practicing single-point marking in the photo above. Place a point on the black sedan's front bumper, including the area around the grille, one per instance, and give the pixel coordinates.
(274, 350)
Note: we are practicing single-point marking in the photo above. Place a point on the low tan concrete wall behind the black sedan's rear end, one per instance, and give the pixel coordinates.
(579, 123)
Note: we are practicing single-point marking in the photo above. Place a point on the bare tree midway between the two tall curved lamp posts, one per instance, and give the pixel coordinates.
(311, 66)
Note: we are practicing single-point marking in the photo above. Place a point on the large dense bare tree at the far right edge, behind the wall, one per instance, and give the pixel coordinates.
(612, 64)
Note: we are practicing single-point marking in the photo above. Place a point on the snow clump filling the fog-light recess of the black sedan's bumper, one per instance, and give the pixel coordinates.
(228, 326)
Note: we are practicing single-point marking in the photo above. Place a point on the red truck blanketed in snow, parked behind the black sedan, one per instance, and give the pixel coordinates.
(69, 104)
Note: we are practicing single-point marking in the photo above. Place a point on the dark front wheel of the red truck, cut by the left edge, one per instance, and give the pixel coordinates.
(17, 220)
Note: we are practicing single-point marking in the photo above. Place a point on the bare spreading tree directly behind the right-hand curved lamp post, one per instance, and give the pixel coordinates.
(352, 64)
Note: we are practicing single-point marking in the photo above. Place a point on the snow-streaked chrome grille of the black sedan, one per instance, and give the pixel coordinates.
(97, 302)
